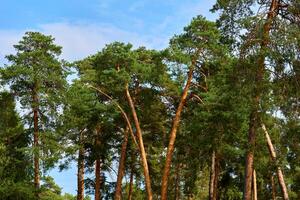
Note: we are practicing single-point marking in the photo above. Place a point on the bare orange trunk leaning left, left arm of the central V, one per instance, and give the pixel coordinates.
(141, 145)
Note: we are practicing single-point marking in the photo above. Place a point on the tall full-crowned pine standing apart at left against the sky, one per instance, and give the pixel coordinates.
(36, 77)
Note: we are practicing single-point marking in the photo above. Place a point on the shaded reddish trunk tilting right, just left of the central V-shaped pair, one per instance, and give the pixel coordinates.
(118, 193)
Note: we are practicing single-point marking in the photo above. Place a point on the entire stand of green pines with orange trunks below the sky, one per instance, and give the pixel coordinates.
(215, 115)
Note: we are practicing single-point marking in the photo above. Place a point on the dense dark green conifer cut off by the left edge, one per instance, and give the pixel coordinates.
(15, 171)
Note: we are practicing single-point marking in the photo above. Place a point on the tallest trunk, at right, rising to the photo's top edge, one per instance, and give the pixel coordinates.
(254, 114)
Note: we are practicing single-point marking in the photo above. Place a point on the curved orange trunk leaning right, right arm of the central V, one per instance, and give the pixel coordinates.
(176, 120)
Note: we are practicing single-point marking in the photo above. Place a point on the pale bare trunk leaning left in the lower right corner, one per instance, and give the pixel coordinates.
(278, 170)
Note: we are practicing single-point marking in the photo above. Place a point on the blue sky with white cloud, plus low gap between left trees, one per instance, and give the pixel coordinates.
(82, 27)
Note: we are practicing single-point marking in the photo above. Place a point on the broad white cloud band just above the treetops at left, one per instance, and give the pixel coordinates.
(79, 40)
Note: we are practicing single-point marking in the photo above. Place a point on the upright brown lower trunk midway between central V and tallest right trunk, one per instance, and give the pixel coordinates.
(214, 174)
